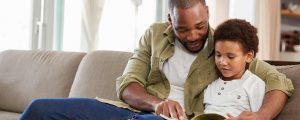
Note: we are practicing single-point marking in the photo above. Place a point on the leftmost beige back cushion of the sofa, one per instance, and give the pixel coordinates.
(29, 74)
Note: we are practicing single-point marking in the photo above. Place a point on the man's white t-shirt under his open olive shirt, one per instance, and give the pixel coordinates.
(176, 70)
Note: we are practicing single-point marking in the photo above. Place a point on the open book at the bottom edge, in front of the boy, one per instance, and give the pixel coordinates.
(207, 116)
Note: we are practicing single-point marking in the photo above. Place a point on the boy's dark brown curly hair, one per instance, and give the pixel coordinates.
(238, 30)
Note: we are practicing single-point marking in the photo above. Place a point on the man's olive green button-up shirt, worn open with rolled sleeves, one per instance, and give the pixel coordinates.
(157, 46)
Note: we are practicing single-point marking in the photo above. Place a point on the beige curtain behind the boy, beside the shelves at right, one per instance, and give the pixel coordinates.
(268, 25)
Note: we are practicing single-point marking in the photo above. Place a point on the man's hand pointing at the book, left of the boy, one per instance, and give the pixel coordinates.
(171, 109)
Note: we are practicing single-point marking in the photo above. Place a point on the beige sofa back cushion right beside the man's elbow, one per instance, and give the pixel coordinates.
(97, 73)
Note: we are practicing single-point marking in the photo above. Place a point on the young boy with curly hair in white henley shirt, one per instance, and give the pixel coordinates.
(237, 89)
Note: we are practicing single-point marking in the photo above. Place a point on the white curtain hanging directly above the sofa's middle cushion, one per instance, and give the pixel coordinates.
(91, 16)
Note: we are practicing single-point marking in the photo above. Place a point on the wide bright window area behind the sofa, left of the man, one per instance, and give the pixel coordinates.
(60, 25)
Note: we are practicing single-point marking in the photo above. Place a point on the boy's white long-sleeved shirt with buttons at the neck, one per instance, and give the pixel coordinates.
(235, 96)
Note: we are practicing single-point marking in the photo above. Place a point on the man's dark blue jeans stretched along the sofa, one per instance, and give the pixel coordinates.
(80, 109)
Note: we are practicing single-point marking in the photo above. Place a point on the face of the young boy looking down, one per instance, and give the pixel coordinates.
(230, 59)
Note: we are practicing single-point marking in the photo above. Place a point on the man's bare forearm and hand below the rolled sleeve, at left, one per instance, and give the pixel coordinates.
(136, 96)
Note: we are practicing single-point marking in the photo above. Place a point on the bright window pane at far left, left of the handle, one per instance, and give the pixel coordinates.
(15, 24)
